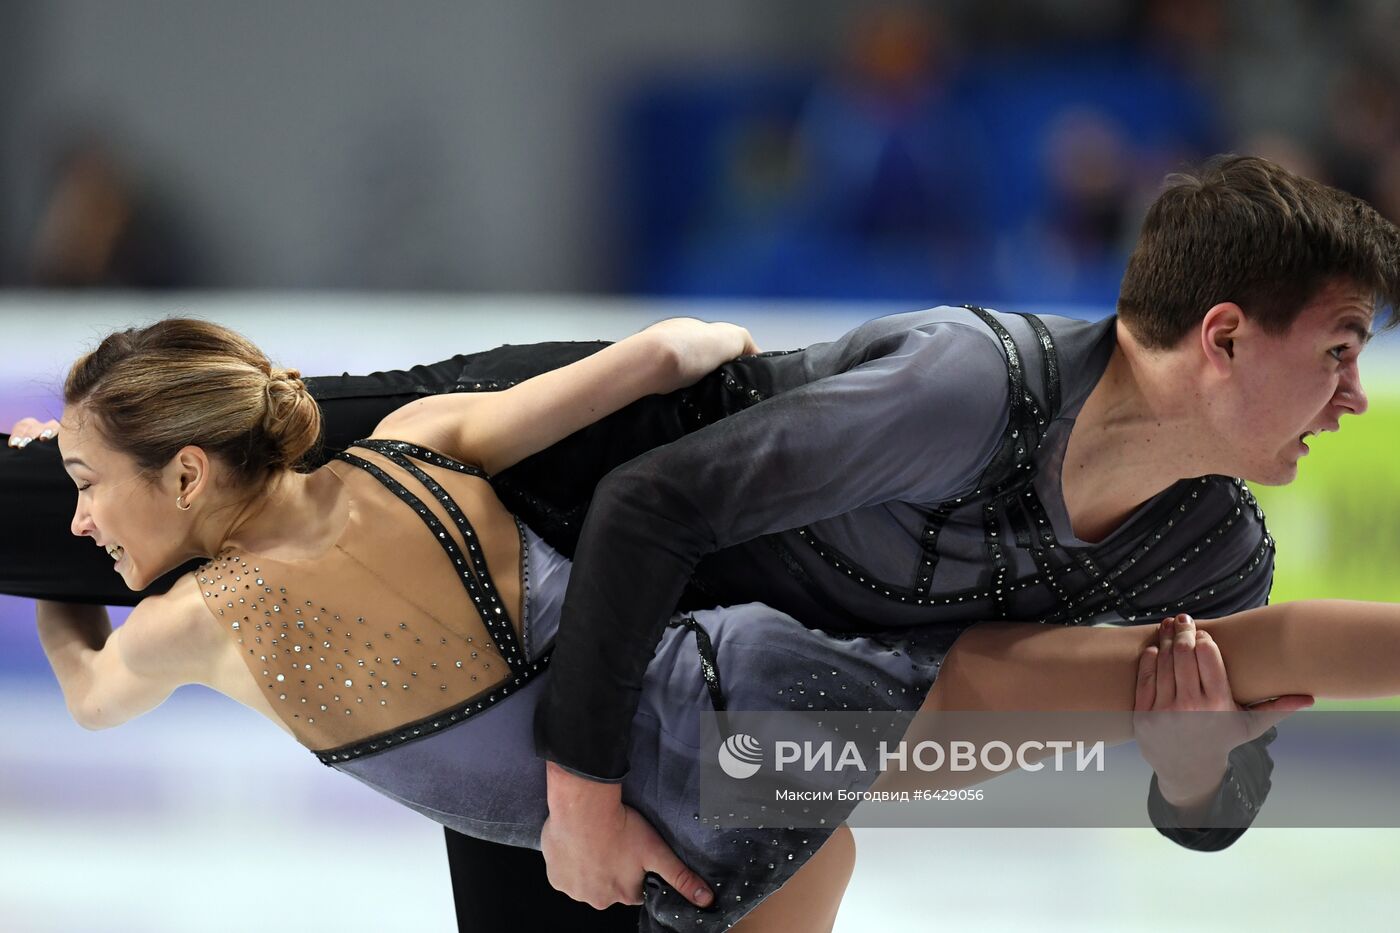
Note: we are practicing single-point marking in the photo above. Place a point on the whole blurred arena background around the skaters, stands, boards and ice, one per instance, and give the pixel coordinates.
(365, 186)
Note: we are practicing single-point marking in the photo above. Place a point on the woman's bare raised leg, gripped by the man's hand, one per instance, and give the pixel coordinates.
(1326, 648)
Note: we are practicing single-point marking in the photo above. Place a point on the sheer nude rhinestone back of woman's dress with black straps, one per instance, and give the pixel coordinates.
(373, 644)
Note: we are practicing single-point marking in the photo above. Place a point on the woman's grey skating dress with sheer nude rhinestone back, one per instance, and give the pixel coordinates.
(414, 654)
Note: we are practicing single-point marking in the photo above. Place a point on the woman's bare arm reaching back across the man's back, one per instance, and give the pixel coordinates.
(499, 429)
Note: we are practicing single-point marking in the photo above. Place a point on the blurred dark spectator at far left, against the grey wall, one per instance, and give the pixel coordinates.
(100, 230)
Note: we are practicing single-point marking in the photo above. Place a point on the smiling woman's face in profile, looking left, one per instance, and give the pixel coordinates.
(135, 519)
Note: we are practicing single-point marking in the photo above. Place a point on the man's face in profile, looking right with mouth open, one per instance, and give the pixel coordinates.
(1298, 383)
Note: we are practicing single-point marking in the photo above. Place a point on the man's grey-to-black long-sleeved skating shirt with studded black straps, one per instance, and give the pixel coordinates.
(905, 474)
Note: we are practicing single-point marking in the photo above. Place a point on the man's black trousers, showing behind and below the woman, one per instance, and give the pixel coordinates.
(495, 887)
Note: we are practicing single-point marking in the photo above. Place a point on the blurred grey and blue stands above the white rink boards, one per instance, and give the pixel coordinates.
(996, 152)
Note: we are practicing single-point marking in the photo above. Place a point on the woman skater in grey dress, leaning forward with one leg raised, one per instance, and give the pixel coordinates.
(390, 614)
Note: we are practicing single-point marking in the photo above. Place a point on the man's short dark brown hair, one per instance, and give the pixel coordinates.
(1249, 232)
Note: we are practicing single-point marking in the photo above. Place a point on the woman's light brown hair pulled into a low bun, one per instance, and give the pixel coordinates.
(159, 389)
